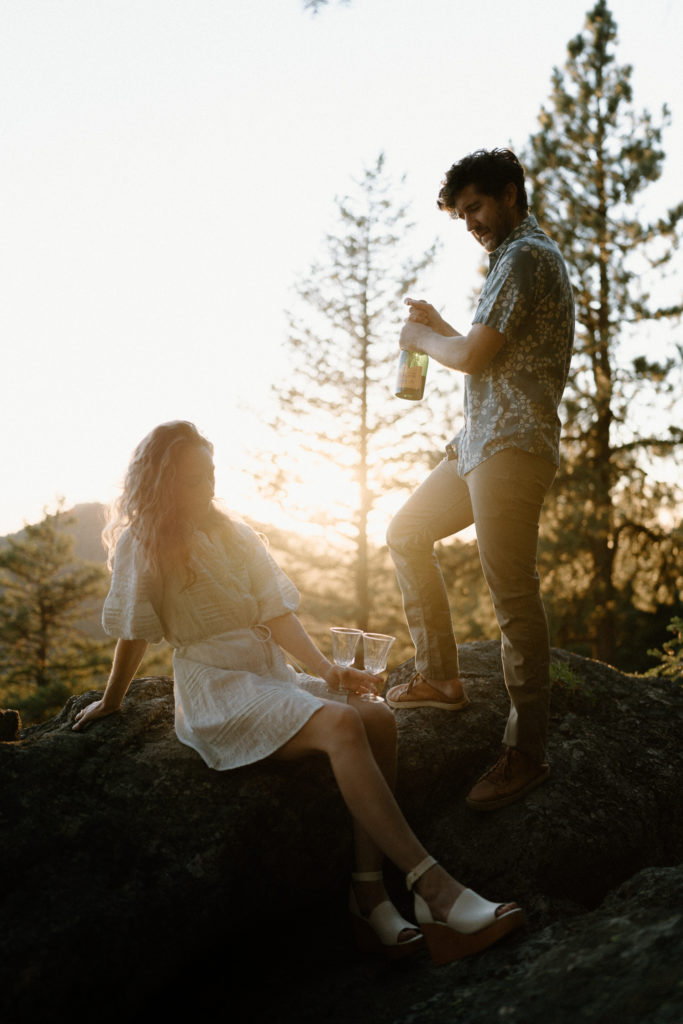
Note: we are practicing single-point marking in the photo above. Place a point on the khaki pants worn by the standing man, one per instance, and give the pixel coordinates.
(503, 497)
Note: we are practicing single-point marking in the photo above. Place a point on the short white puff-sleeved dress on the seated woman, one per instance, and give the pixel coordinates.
(237, 700)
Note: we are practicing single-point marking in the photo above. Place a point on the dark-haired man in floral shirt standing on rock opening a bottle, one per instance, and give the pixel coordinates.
(499, 468)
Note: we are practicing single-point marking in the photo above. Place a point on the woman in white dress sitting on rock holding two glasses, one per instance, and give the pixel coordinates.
(188, 573)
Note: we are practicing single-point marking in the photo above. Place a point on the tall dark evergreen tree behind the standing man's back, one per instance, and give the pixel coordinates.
(608, 546)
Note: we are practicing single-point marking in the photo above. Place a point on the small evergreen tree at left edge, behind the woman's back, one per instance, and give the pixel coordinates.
(45, 657)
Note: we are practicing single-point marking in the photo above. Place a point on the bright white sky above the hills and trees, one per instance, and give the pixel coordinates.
(169, 167)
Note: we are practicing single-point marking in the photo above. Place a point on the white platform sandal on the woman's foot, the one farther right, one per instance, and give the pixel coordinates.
(473, 924)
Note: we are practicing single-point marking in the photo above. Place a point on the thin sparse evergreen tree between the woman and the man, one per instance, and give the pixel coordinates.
(337, 405)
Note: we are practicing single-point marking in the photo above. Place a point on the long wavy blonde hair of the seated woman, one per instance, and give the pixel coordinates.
(147, 504)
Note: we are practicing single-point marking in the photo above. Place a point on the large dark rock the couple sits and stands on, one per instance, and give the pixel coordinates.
(137, 881)
